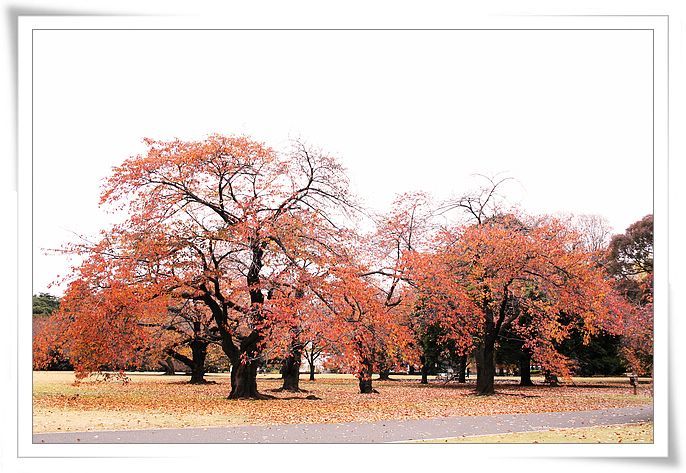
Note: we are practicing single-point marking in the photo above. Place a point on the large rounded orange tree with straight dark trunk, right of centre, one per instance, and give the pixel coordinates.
(530, 277)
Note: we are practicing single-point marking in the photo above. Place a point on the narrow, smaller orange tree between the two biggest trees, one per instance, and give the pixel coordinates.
(366, 328)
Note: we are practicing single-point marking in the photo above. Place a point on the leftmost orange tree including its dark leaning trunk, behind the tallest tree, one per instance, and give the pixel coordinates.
(113, 302)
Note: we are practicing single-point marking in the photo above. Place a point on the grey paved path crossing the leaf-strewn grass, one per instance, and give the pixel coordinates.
(373, 432)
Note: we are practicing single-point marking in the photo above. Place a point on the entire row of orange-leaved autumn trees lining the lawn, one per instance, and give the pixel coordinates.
(228, 242)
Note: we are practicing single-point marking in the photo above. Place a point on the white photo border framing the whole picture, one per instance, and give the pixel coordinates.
(659, 26)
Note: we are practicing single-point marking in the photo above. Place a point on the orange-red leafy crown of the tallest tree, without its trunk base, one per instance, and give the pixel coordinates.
(226, 222)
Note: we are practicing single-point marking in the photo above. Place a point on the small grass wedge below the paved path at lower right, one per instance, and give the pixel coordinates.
(624, 433)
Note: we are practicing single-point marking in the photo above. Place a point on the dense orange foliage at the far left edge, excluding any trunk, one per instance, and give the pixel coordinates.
(105, 316)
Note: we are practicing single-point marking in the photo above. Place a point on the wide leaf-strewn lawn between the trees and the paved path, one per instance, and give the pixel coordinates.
(152, 400)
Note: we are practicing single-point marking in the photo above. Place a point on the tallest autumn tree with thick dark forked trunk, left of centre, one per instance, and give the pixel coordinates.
(220, 221)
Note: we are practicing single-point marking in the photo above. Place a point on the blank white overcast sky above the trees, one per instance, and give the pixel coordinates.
(568, 114)
